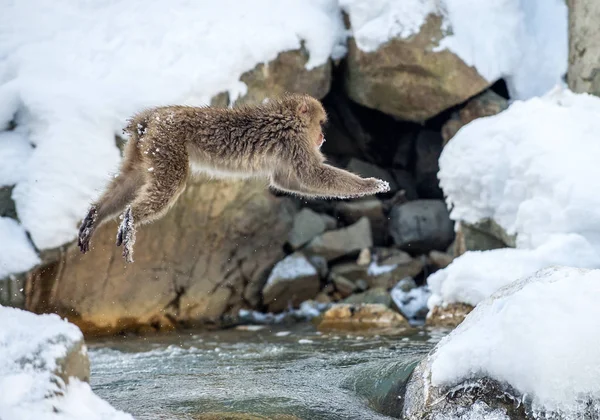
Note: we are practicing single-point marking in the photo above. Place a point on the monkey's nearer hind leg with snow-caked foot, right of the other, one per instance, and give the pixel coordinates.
(165, 183)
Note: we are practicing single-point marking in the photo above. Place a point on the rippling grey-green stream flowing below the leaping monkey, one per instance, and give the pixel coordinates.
(272, 371)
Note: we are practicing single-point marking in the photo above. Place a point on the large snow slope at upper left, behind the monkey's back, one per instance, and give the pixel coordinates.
(72, 72)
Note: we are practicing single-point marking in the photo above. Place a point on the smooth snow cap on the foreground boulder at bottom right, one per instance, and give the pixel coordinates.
(540, 335)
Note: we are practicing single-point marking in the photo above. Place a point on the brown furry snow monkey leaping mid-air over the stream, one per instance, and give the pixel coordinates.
(278, 140)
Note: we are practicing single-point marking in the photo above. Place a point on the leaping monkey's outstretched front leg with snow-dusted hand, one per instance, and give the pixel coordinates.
(322, 180)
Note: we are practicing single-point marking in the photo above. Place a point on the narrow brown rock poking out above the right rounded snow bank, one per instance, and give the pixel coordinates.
(484, 105)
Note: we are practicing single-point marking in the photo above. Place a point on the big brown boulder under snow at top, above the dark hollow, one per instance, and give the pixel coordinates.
(407, 79)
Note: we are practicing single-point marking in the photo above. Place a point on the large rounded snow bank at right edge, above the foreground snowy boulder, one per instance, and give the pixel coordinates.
(532, 169)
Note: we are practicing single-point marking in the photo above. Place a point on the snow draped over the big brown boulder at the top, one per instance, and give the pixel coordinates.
(525, 42)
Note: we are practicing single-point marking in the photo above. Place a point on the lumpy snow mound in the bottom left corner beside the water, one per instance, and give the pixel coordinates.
(30, 346)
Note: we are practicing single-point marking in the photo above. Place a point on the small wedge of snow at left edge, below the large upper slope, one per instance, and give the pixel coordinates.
(16, 252)
